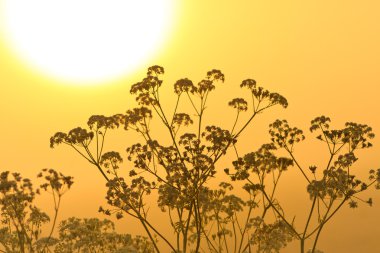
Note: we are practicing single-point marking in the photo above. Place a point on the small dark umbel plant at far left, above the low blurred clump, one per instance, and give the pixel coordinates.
(21, 219)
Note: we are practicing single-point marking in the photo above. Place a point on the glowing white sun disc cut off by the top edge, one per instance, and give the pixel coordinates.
(86, 41)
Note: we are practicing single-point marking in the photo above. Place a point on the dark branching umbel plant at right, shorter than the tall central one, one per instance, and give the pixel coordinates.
(329, 189)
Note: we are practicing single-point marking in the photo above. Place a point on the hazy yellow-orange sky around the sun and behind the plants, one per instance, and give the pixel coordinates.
(323, 56)
